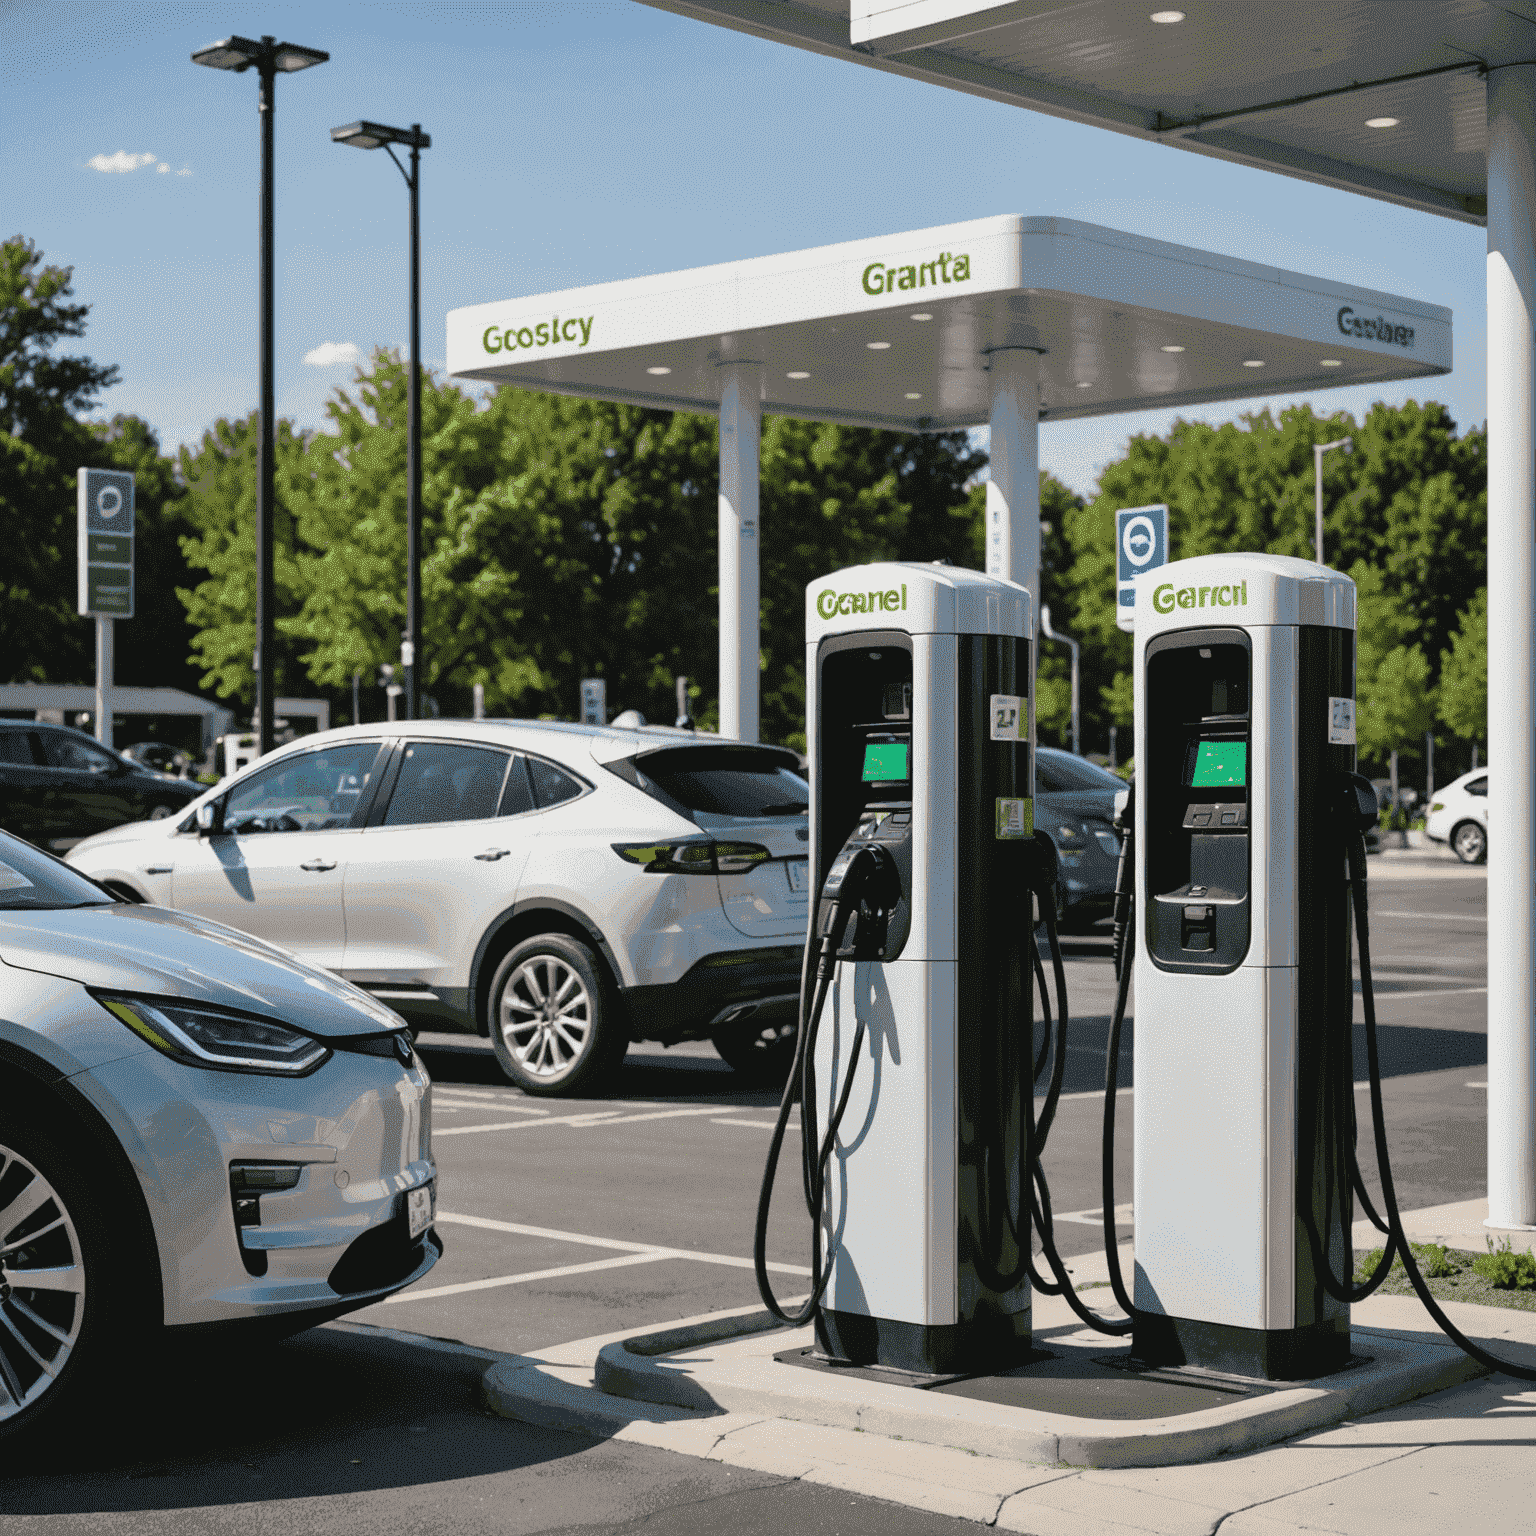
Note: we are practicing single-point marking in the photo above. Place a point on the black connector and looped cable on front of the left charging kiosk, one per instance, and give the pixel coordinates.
(861, 893)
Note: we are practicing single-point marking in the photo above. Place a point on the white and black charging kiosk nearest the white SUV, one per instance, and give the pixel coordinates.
(921, 727)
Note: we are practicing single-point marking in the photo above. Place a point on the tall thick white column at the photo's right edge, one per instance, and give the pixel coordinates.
(1512, 647)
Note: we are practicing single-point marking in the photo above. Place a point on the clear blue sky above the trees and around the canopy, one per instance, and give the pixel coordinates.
(572, 144)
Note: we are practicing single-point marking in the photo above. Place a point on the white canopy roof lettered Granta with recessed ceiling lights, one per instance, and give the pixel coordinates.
(896, 331)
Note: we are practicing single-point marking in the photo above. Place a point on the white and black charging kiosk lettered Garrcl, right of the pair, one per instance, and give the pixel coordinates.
(1245, 720)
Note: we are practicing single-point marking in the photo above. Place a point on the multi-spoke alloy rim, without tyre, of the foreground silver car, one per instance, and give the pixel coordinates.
(42, 1285)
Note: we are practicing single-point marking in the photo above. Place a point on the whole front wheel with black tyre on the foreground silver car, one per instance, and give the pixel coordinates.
(65, 1302)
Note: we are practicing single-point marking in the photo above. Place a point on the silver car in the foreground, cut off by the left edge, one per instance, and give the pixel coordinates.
(196, 1130)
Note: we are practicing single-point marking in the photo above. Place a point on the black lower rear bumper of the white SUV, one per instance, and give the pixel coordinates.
(737, 988)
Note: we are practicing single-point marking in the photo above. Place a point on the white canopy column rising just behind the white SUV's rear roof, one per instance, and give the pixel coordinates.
(741, 426)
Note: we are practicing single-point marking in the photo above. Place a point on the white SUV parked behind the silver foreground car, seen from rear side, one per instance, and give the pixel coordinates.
(560, 889)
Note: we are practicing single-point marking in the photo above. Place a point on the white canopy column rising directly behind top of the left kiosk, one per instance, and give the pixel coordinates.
(1013, 489)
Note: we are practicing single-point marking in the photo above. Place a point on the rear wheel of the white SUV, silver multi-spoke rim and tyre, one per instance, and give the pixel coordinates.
(554, 1021)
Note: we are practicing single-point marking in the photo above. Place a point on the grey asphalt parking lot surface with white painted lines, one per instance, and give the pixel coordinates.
(566, 1219)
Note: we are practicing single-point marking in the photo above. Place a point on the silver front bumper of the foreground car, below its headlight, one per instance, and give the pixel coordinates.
(359, 1130)
